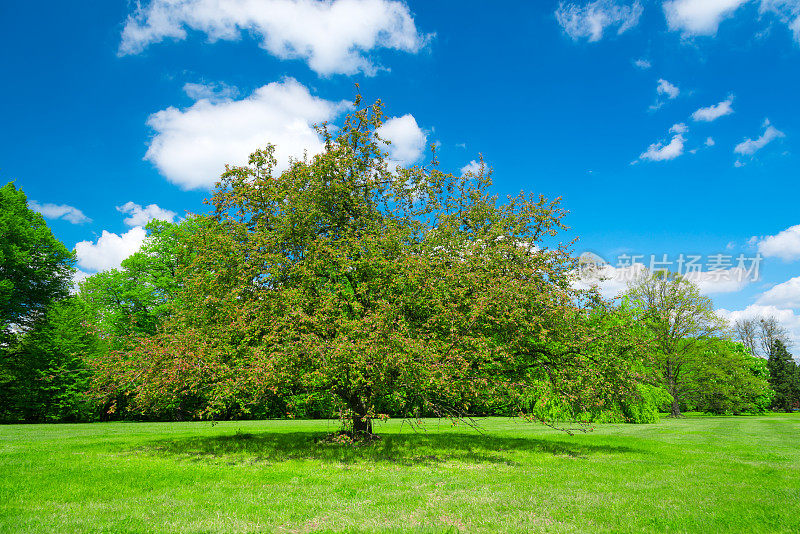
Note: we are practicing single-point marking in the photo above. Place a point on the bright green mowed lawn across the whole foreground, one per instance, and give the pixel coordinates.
(699, 474)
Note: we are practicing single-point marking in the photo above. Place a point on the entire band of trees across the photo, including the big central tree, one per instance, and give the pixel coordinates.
(346, 287)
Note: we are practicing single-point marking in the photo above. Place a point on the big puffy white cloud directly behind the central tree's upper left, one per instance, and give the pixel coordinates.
(192, 146)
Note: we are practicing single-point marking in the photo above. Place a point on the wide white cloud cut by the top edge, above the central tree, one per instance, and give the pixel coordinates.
(332, 36)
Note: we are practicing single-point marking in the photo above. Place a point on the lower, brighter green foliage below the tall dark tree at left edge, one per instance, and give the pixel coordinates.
(45, 373)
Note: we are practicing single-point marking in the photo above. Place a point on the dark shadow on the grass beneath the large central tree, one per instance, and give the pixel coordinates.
(403, 449)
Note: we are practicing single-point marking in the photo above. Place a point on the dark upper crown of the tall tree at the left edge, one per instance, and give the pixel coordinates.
(35, 268)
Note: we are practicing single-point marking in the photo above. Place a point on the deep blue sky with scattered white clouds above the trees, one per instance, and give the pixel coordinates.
(667, 127)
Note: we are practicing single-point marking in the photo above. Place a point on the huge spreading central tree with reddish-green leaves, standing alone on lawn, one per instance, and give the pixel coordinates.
(407, 289)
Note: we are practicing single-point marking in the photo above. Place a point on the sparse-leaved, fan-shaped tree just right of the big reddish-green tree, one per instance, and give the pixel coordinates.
(679, 318)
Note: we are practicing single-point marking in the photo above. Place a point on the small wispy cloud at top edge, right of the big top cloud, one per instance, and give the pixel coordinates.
(590, 20)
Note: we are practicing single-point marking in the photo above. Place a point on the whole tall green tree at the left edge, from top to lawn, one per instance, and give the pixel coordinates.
(43, 335)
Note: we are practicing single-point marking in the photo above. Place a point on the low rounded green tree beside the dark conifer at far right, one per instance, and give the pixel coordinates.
(721, 377)
